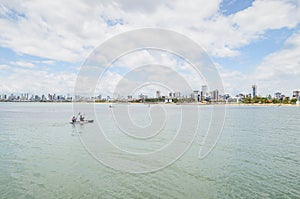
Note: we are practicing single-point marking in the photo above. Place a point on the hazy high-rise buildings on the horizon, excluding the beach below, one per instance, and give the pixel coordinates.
(198, 95)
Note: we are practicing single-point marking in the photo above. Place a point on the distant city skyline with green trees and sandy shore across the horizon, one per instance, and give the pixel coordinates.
(204, 96)
